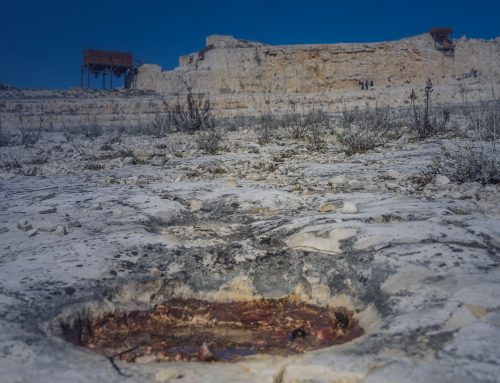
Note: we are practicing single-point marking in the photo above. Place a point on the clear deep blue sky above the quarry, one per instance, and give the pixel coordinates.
(41, 40)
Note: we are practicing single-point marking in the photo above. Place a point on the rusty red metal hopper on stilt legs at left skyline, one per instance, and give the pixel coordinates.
(98, 62)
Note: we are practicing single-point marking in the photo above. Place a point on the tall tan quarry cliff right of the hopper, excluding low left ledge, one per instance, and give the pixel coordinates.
(250, 77)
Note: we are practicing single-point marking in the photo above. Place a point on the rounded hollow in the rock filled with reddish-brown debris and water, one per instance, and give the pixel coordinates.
(196, 330)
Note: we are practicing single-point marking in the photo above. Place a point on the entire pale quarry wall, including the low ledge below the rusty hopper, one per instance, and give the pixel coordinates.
(250, 78)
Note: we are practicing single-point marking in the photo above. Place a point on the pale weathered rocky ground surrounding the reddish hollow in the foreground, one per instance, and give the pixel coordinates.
(89, 225)
